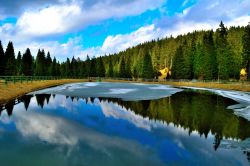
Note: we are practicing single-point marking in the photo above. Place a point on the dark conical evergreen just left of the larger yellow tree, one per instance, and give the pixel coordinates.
(147, 69)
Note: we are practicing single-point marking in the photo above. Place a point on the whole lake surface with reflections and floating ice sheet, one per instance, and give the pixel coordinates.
(122, 124)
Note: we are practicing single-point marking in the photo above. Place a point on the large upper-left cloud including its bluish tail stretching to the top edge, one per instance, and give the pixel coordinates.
(69, 17)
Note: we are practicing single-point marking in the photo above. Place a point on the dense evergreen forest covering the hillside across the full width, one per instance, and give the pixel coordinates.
(203, 55)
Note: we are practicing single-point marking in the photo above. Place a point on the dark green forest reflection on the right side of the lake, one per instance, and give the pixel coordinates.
(195, 112)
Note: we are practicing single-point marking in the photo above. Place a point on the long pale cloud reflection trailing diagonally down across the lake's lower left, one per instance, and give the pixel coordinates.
(59, 131)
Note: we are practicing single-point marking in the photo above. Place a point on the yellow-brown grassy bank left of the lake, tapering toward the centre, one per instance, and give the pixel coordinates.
(12, 90)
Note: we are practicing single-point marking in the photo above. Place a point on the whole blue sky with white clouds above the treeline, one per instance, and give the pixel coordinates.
(69, 28)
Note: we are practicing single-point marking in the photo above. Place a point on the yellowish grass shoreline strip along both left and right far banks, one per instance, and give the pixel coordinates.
(15, 90)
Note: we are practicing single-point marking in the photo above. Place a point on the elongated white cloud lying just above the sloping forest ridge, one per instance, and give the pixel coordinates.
(116, 43)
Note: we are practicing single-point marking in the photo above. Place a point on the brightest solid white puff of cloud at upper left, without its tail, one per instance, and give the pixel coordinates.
(51, 20)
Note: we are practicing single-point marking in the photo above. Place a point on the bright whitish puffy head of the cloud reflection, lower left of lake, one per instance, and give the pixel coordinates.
(47, 128)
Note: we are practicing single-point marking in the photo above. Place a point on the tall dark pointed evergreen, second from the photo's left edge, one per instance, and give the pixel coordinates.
(10, 68)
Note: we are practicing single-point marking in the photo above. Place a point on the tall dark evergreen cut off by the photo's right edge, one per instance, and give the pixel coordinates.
(246, 50)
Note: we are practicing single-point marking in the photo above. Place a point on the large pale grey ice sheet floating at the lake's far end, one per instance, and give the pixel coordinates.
(124, 91)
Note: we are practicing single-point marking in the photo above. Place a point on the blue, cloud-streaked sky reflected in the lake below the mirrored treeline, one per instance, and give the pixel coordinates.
(101, 128)
